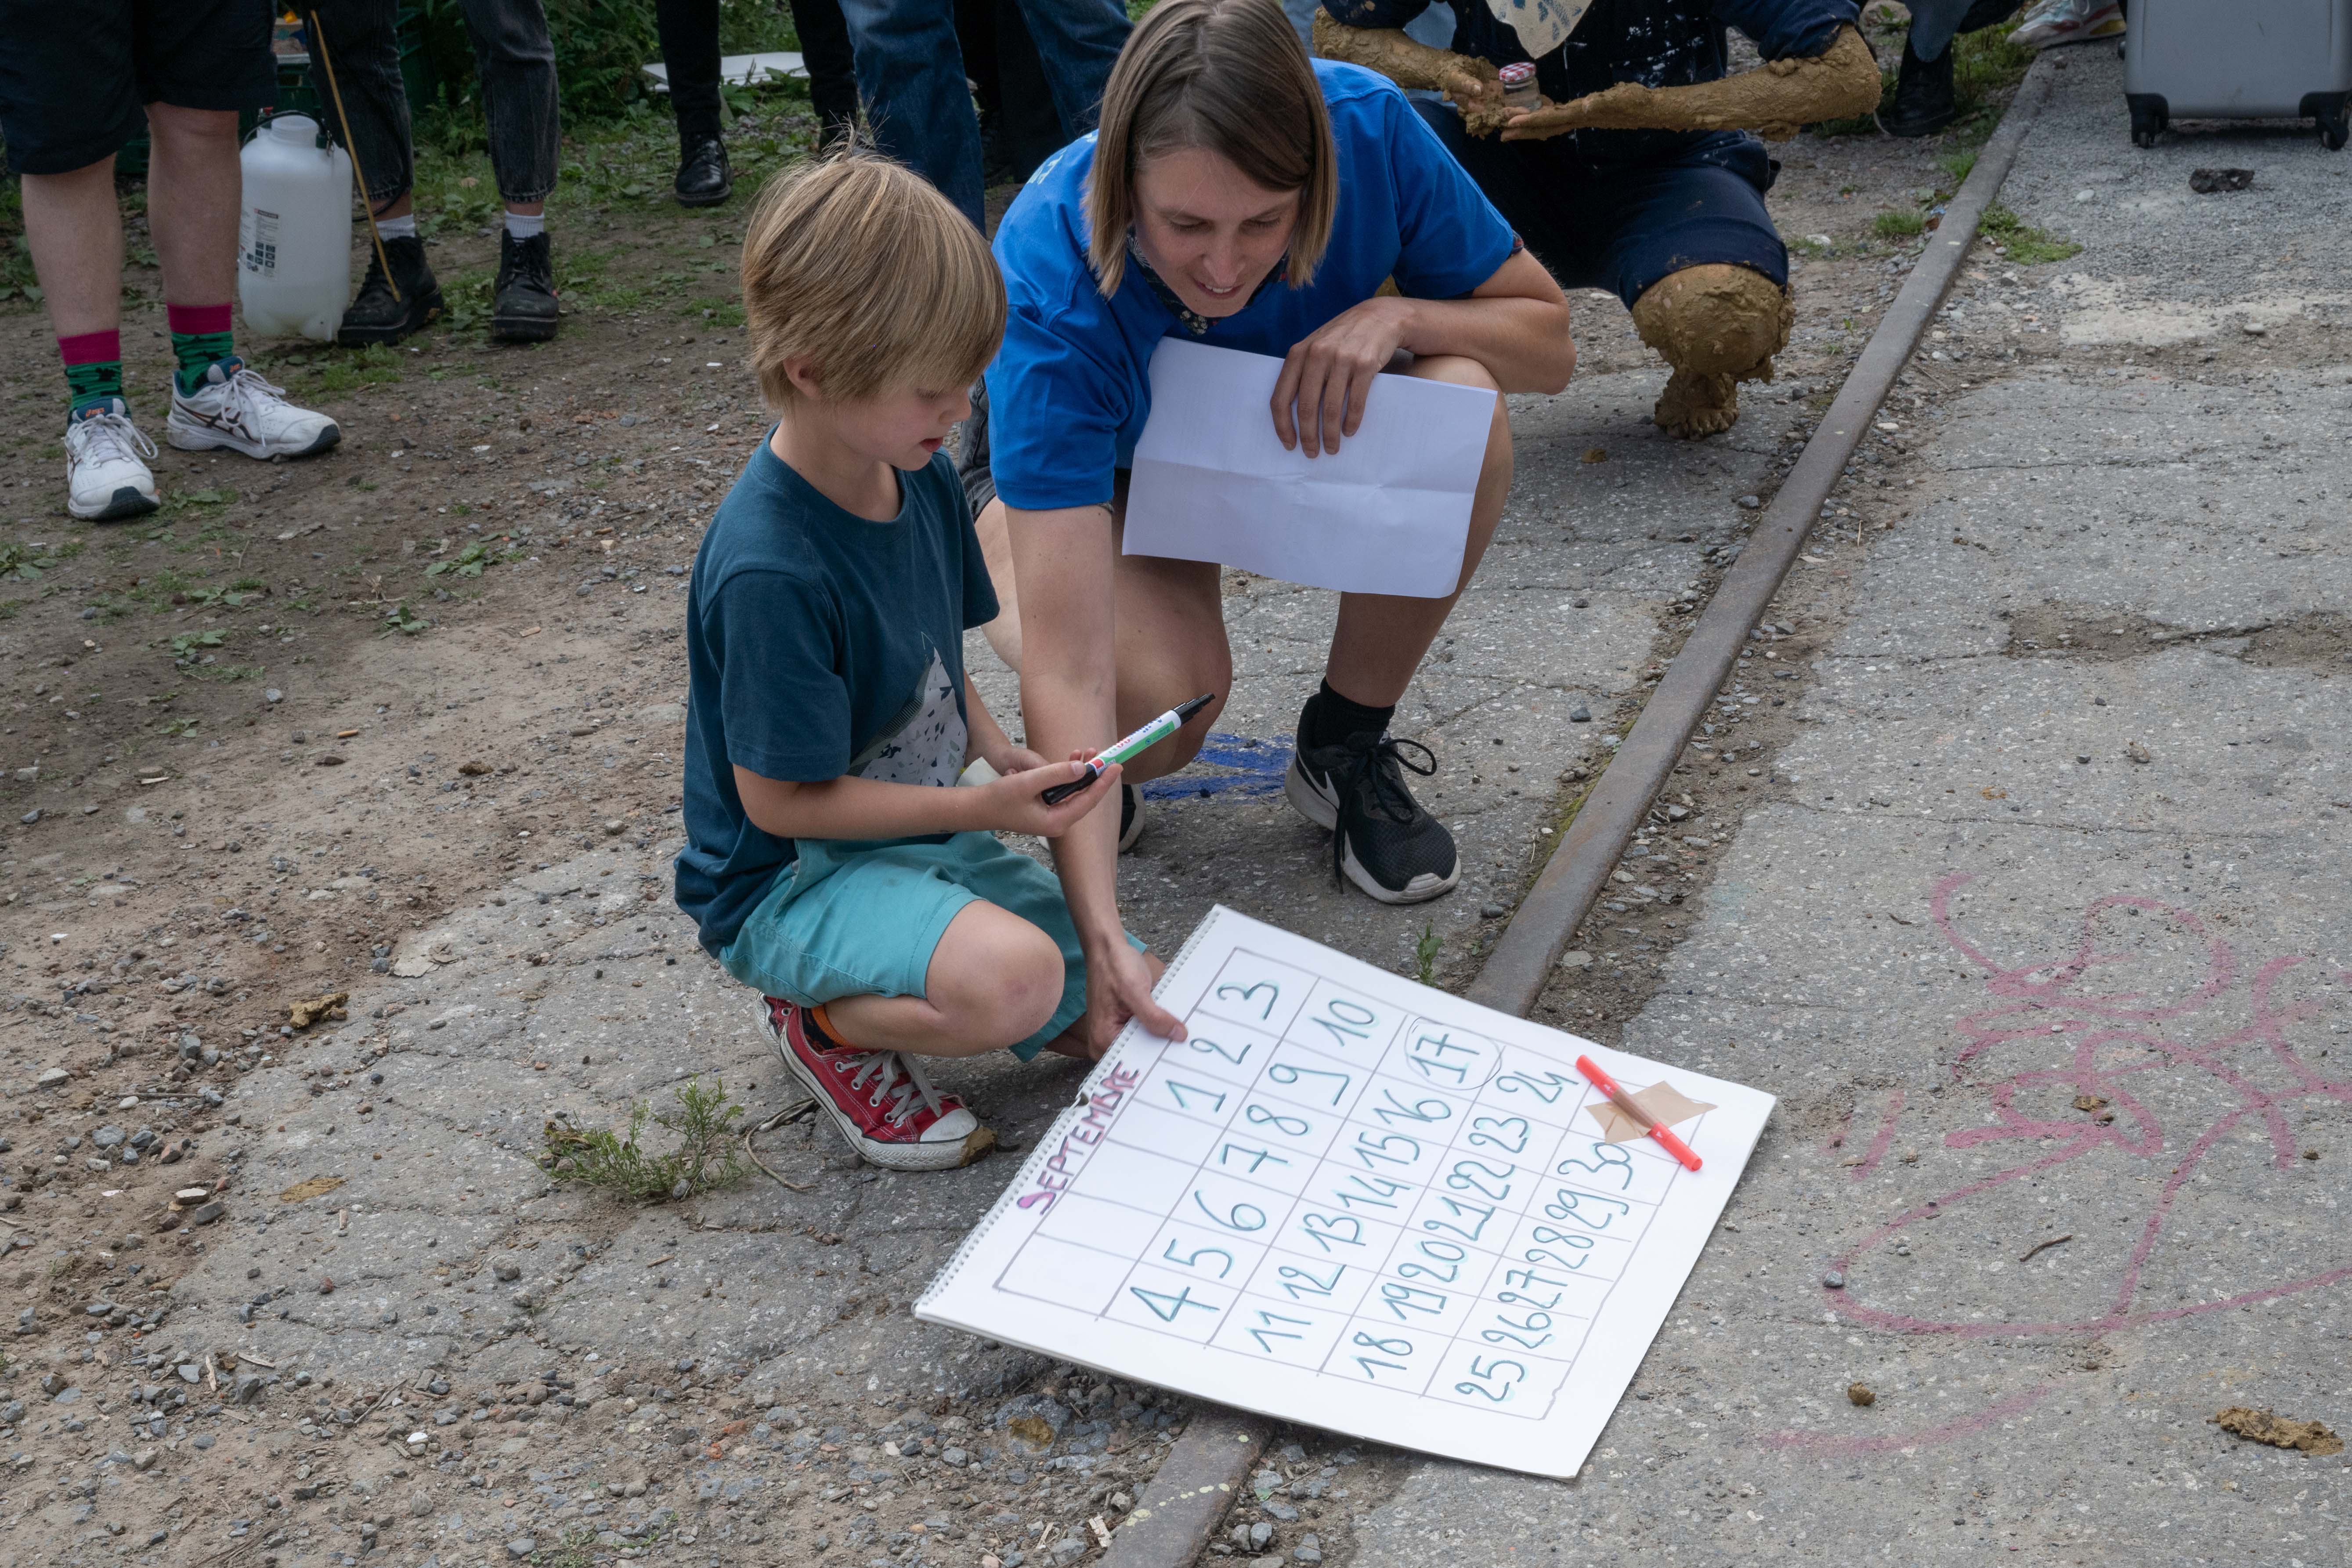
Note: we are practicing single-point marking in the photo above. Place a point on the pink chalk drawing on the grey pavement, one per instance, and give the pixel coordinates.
(2109, 1047)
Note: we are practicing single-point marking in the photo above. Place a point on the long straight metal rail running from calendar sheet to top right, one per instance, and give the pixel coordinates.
(1577, 873)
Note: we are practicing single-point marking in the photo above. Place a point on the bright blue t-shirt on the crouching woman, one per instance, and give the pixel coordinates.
(1069, 391)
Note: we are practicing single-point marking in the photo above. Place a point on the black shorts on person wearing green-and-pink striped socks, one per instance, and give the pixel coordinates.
(74, 79)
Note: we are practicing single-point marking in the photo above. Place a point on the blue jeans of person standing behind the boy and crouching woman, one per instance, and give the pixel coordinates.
(911, 74)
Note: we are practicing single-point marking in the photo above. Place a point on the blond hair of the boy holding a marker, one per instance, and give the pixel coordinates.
(869, 272)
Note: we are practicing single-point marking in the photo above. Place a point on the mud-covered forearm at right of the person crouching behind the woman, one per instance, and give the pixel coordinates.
(1775, 102)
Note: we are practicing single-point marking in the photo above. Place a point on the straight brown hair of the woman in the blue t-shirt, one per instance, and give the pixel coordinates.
(1222, 76)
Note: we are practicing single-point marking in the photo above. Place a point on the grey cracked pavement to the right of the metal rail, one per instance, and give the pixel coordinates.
(2043, 944)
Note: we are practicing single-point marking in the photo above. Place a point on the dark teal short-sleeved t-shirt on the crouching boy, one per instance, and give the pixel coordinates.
(820, 645)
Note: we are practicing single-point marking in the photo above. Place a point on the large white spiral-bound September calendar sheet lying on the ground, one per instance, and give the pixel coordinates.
(1354, 1202)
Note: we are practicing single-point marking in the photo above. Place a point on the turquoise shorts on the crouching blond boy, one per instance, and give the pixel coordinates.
(862, 920)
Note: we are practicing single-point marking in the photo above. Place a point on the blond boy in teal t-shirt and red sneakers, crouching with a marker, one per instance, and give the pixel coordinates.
(829, 859)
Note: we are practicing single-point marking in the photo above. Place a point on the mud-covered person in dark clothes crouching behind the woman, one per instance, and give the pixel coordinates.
(1638, 170)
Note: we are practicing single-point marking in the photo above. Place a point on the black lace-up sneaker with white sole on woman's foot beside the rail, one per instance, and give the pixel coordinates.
(1382, 840)
